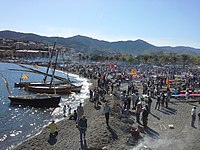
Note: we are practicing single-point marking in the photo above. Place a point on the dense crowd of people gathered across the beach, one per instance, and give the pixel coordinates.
(155, 85)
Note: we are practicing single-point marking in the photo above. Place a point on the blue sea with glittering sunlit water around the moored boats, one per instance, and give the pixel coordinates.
(18, 123)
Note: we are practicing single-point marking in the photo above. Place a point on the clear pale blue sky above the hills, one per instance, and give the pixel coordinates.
(159, 22)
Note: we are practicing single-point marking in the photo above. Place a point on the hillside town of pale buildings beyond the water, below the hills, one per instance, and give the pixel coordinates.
(23, 51)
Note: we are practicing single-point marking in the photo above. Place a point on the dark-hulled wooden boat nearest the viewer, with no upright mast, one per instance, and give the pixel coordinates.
(37, 100)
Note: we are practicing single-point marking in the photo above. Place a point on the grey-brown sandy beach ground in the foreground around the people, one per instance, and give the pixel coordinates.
(117, 137)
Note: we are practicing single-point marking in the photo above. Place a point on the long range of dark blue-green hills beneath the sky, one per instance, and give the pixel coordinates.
(93, 46)
